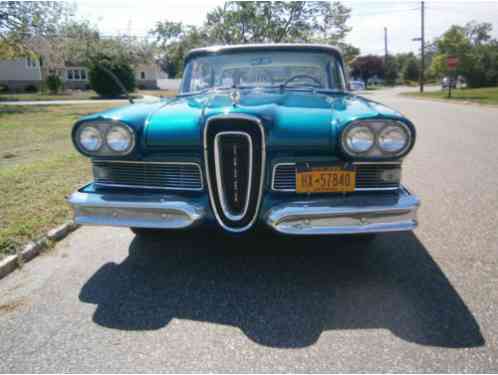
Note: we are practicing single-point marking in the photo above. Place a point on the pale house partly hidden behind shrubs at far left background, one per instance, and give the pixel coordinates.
(20, 74)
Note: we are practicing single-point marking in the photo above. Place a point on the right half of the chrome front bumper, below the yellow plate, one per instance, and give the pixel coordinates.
(370, 213)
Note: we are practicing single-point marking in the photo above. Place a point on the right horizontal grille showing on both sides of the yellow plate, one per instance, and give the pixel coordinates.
(369, 176)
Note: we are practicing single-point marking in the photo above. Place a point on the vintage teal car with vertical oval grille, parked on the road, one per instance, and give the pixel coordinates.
(257, 135)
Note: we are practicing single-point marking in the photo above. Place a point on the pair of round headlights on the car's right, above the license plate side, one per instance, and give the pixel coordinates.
(376, 138)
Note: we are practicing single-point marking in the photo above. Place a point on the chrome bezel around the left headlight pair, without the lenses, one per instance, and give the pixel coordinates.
(104, 127)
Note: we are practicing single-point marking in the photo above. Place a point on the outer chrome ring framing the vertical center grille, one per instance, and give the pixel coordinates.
(258, 122)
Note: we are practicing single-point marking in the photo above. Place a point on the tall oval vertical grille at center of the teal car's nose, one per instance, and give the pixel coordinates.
(234, 148)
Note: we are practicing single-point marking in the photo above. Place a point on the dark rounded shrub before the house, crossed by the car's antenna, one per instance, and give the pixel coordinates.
(102, 82)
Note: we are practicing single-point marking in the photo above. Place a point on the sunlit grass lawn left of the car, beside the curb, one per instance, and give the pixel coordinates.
(38, 168)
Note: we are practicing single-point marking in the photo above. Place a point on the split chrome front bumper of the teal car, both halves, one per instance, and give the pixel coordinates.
(350, 214)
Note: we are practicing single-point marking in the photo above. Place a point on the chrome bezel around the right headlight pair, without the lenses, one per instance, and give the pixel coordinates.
(378, 127)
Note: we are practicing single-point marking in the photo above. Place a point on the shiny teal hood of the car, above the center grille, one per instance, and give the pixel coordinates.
(292, 120)
